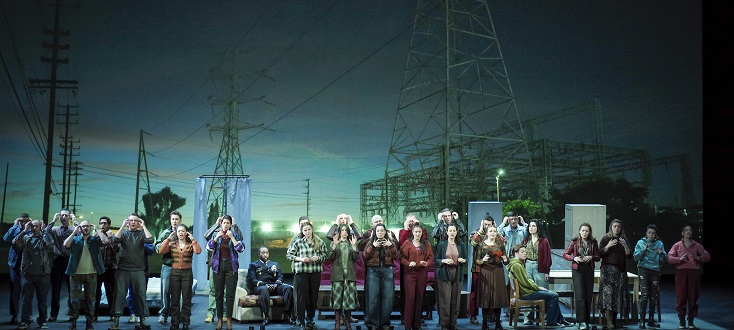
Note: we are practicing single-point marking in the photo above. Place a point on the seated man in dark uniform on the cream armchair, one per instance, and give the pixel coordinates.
(265, 277)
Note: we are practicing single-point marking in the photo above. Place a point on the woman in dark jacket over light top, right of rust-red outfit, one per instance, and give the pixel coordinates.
(451, 256)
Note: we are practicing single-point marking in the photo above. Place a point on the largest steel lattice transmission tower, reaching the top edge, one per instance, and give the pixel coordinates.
(456, 121)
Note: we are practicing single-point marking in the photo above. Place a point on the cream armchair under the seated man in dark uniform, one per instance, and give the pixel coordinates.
(247, 305)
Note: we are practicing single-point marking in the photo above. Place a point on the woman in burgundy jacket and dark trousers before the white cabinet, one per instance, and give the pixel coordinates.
(583, 251)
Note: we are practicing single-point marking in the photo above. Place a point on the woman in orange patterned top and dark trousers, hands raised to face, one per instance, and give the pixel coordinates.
(183, 247)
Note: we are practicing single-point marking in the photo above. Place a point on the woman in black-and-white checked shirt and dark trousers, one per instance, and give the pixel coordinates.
(308, 253)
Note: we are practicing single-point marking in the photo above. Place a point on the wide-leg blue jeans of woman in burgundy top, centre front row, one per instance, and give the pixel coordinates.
(379, 296)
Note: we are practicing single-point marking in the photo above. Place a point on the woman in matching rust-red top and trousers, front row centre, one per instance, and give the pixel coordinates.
(416, 256)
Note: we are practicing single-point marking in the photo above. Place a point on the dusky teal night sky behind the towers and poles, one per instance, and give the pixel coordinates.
(323, 79)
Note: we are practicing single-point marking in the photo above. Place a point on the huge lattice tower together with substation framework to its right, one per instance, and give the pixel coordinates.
(457, 126)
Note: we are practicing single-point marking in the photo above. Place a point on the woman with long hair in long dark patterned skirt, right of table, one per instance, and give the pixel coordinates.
(614, 251)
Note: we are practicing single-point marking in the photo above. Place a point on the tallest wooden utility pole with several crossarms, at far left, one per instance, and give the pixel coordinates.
(52, 84)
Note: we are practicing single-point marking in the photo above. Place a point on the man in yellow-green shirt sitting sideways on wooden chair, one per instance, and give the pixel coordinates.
(531, 291)
